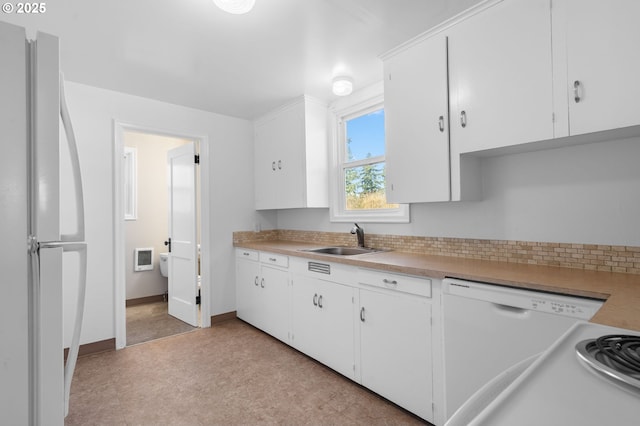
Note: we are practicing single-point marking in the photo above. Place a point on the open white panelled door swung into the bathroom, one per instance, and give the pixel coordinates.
(183, 246)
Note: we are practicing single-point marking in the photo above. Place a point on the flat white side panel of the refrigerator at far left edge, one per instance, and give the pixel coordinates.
(14, 303)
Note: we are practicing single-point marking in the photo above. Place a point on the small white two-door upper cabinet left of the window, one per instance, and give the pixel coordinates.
(291, 156)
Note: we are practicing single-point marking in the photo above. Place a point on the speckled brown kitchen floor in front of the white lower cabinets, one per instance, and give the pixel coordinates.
(230, 374)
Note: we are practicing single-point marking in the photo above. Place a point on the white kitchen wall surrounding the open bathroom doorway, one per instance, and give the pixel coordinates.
(93, 112)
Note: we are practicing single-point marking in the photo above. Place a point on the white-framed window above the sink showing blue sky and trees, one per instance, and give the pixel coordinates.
(359, 167)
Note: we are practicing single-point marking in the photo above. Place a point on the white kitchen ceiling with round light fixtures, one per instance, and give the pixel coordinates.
(188, 52)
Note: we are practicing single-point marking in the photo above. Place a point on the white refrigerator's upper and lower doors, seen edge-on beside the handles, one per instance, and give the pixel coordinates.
(44, 100)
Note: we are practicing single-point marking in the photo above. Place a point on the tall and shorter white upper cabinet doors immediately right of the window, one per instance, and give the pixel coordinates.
(479, 82)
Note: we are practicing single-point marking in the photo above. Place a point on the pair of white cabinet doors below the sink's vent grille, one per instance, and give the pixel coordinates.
(322, 322)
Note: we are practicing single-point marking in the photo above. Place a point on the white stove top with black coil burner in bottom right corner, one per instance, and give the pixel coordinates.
(561, 388)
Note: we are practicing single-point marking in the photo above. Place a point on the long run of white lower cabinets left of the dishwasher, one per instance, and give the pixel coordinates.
(372, 327)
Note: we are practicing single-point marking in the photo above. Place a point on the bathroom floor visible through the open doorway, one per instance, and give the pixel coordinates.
(151, 321)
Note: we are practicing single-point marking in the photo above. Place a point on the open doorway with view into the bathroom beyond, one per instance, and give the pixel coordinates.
(142, 296)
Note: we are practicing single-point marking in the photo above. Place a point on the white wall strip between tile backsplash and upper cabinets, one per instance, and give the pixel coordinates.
(579, 194)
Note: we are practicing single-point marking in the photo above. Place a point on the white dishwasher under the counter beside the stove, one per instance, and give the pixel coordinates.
(489, 328)
